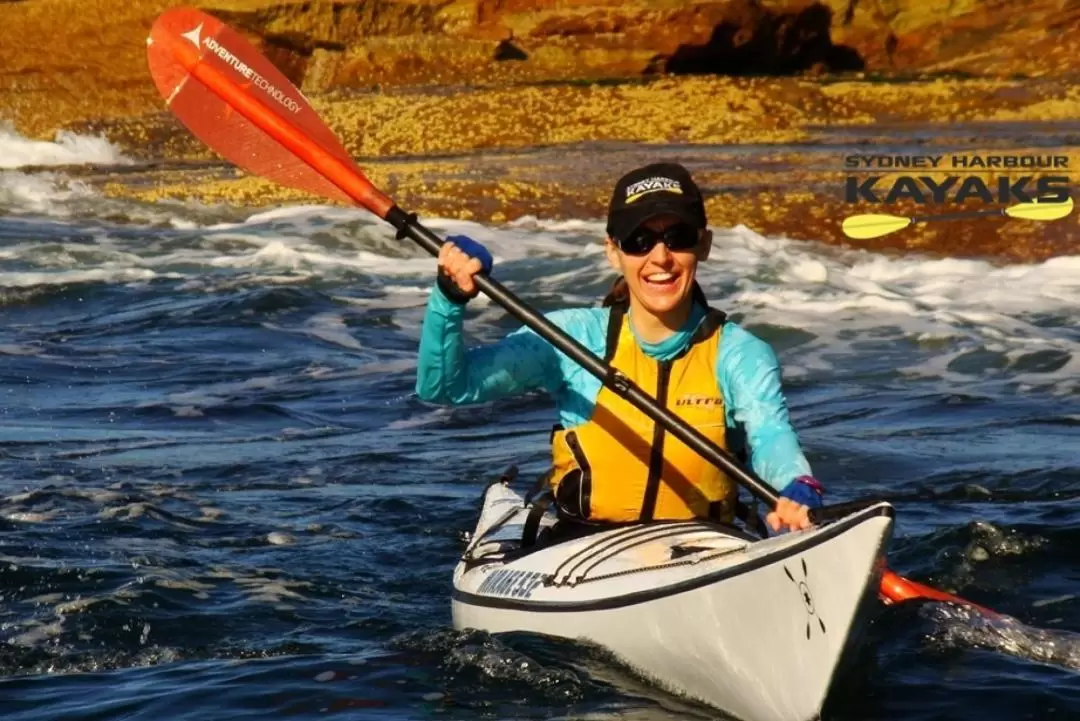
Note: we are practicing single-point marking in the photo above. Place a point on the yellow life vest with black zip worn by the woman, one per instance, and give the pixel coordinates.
(623, 467)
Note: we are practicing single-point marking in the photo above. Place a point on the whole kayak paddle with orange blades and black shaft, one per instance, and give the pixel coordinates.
(242, 107)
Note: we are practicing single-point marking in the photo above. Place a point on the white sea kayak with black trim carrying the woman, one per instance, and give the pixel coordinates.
(754, 628)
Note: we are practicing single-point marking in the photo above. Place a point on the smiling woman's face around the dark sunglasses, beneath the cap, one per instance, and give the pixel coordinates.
(661, 280)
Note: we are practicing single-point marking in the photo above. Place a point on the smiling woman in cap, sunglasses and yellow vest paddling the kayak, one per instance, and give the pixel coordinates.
(611, 462)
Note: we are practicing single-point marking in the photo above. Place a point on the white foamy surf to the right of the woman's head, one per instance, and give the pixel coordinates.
(948, 310)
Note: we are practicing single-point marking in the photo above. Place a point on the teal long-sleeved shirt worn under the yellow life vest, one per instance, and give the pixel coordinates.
(747, 370)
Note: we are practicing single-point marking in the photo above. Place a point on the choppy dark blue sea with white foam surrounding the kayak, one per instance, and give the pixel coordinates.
(221, 498)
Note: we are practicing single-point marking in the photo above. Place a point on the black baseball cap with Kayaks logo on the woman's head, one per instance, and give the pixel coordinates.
(651, 192)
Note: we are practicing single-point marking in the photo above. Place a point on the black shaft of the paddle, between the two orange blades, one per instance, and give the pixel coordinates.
(409, 227)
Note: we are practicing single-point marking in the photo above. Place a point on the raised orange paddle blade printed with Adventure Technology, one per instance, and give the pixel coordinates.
(240, 105)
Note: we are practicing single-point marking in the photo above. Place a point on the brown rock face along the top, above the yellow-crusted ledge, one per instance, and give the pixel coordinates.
(66, 61)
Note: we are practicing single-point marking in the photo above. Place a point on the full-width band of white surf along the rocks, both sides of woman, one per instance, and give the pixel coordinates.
(963, 321)
